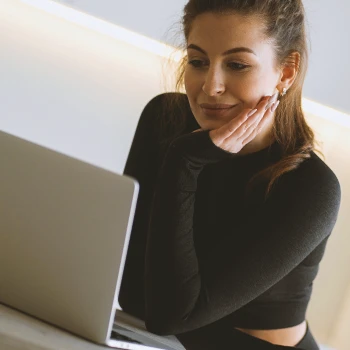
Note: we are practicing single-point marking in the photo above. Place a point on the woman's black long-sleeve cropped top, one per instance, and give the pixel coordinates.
(199, 253)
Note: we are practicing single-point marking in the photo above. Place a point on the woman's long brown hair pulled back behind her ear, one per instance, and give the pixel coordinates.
(284, 23)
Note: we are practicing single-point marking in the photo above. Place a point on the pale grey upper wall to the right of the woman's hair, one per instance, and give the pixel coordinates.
(329, 71)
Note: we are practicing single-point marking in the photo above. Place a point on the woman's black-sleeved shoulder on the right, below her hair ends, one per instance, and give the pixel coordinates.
(309, 196)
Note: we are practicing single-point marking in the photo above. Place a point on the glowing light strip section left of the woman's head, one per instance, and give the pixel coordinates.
(106, 28)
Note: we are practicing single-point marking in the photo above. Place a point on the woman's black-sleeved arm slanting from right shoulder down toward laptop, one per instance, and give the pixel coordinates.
(297, 217)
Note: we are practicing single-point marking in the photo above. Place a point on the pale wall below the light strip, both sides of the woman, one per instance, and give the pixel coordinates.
(81, 93)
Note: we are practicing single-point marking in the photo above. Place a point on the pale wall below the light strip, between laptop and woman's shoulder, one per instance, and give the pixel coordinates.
(71, 89)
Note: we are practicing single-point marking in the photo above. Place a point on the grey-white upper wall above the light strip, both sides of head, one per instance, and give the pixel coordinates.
(328, 26)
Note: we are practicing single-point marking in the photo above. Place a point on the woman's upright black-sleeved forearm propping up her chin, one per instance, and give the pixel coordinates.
(172, 275)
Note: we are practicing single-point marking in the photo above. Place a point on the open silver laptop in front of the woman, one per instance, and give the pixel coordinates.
(64, 232)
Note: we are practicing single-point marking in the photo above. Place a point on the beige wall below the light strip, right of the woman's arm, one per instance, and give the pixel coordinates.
(330, 290)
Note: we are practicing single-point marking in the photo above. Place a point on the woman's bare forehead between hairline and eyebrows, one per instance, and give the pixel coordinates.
(211, 31)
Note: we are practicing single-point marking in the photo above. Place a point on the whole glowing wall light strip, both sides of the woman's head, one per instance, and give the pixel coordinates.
(160, 49)
